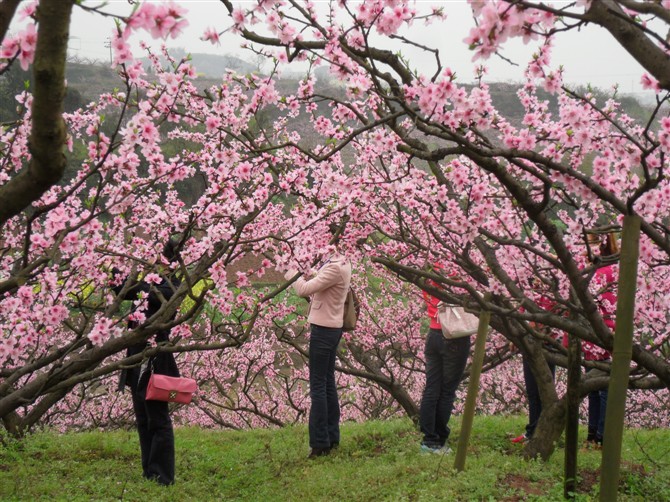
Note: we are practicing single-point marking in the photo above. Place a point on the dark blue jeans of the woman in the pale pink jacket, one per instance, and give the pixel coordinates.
(324, 414)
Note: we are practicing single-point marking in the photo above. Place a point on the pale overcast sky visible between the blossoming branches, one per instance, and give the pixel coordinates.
(589, 56)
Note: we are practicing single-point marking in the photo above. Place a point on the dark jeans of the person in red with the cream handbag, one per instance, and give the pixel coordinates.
(445, 364)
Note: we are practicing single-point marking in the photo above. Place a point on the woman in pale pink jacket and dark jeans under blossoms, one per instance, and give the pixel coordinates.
(327, 290)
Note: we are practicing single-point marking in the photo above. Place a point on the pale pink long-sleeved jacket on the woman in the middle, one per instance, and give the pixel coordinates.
(328, 290)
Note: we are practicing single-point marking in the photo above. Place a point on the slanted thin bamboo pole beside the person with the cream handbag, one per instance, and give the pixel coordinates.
(473, 388)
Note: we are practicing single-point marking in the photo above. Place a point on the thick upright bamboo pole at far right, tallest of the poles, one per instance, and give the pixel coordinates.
(621, 357)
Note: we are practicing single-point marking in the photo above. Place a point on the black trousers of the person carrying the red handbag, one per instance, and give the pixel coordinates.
(156, 437)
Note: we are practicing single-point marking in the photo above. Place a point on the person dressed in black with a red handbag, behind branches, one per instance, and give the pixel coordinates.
(152, 417)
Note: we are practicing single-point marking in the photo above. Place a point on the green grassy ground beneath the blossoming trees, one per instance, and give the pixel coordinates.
(376, 461)
